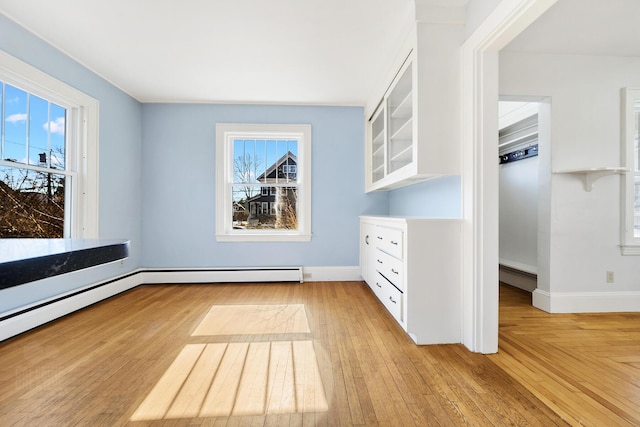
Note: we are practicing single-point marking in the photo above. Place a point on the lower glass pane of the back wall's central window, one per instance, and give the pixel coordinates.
(273, 208)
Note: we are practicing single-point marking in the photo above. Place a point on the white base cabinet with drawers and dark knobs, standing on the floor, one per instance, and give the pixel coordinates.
(413, 267)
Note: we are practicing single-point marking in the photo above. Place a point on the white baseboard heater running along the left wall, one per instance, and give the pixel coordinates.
(29, 317)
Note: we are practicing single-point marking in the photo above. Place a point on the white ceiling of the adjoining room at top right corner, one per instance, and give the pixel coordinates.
(584, 27)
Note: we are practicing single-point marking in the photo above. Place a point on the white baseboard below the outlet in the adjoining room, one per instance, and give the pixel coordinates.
(586, 302)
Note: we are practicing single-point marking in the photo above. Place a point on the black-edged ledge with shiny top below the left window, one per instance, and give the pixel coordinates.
(27, 260)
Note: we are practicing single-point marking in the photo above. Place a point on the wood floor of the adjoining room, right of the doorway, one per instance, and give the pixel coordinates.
(585, 367)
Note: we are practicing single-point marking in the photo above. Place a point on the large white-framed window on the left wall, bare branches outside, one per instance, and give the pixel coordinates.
(48, 156)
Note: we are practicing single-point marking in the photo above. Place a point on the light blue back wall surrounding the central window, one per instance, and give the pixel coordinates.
(179, 187)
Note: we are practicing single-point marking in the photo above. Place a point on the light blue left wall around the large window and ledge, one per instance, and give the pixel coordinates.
(120, 158)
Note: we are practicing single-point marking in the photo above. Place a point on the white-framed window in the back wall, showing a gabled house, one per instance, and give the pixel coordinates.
(248, 156)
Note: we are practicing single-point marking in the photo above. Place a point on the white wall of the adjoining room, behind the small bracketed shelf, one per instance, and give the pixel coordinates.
(584, 226)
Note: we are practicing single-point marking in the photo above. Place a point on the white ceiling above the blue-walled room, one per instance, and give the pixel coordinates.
(258, 51)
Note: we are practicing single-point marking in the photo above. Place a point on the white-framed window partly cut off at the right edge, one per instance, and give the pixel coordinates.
(630, 233)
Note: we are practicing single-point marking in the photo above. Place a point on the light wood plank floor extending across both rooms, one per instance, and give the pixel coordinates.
(98, 366)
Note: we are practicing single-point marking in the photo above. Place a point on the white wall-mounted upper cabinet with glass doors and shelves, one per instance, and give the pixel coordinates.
(411, 132)
